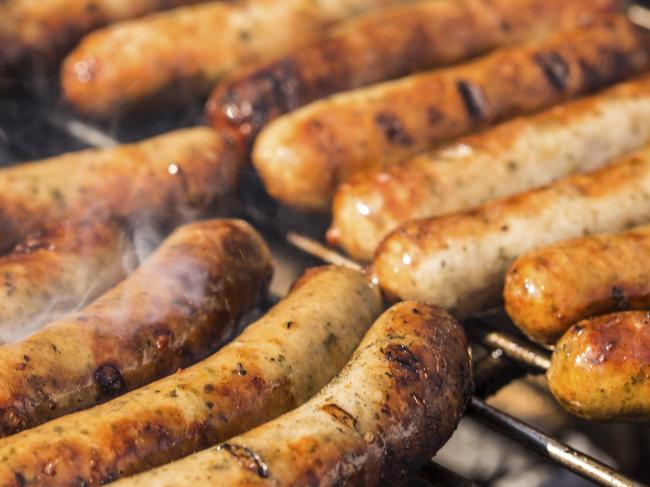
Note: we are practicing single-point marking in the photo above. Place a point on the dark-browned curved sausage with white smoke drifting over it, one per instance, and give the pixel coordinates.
(173, 310)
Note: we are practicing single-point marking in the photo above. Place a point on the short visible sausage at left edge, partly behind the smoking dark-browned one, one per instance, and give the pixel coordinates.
(59, 269)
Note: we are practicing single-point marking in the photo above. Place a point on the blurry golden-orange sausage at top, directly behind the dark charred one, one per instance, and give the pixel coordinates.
(178, 56)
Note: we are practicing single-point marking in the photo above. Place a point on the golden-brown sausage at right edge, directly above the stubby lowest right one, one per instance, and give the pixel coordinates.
(549, 289)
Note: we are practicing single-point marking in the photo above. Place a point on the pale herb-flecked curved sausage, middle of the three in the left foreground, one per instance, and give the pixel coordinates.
(277, 363)
